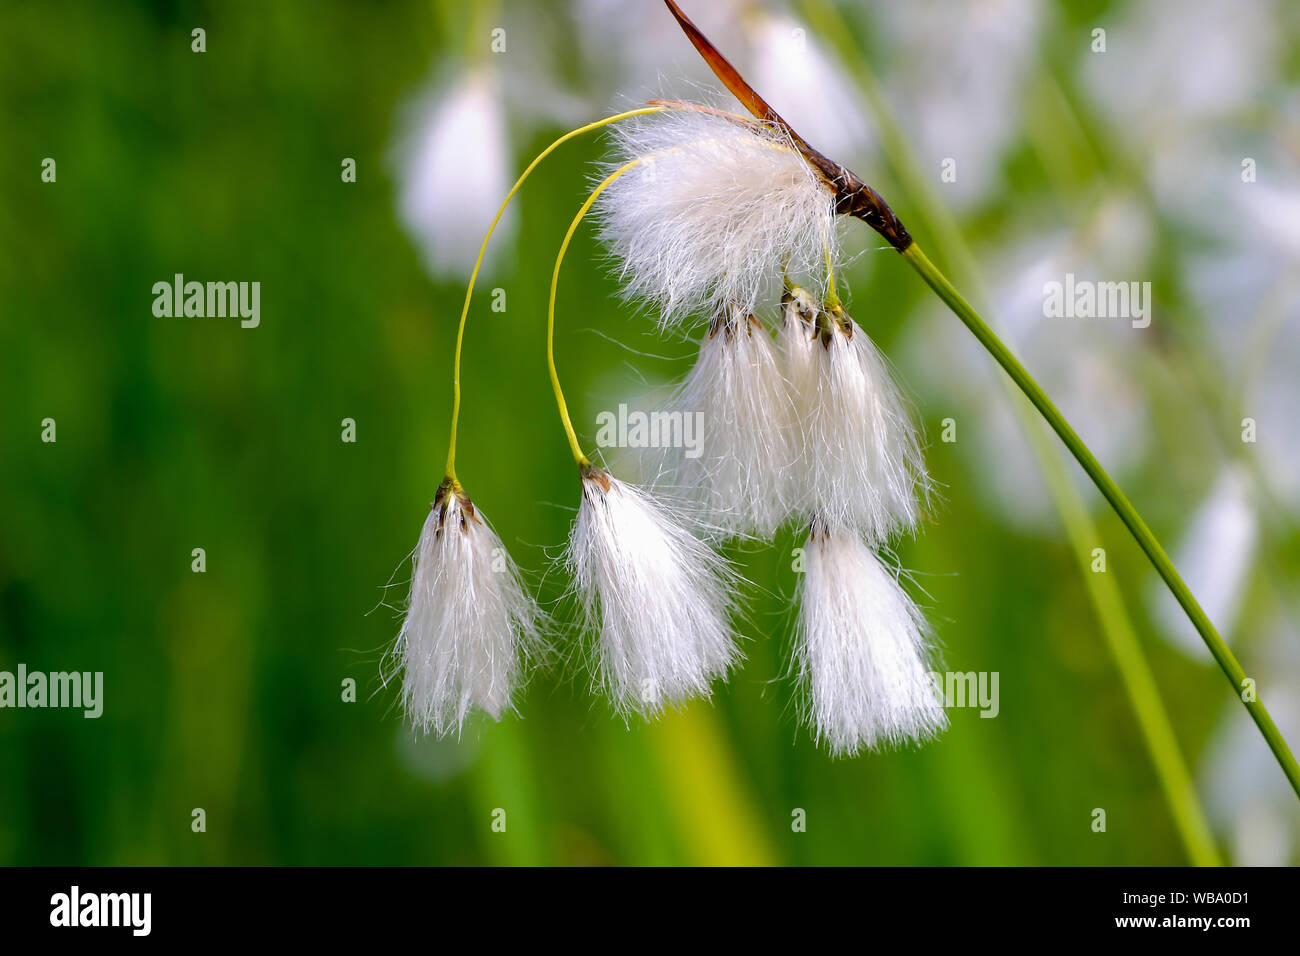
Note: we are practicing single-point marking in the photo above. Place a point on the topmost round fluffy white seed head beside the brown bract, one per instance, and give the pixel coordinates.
(714, 214)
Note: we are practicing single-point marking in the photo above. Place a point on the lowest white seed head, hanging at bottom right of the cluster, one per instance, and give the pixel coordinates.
(864, 659)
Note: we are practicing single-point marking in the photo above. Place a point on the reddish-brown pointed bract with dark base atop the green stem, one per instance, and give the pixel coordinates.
(853, 197)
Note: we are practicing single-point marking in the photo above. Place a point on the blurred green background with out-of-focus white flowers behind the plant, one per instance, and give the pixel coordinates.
(224, 690)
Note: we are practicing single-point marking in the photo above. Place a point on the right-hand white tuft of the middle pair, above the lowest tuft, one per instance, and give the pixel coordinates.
(864, 468)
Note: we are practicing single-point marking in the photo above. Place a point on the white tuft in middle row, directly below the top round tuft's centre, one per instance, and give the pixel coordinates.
(736, 475)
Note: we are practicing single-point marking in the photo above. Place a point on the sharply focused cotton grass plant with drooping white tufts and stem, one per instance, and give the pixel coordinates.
(710, 218)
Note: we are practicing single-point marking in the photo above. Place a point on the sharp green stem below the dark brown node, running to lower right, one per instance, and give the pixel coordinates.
(1228, 663)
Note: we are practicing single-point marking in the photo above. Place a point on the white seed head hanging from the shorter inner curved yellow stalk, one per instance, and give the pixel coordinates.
(657, 596)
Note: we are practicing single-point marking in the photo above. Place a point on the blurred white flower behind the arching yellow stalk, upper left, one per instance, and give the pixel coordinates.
(454, 172)
